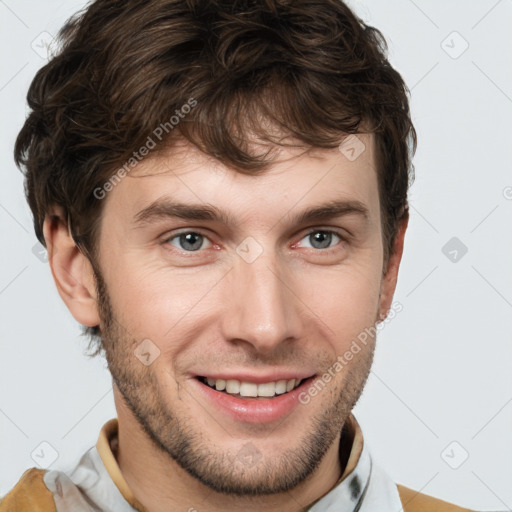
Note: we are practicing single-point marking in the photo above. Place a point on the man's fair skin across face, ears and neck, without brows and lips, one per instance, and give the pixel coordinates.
(296, 306)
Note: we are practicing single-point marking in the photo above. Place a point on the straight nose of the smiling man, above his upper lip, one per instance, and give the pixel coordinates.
(261, 308)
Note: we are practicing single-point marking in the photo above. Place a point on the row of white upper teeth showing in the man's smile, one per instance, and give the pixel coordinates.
(252, 390)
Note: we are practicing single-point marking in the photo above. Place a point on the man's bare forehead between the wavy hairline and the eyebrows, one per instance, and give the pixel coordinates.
(295, 179)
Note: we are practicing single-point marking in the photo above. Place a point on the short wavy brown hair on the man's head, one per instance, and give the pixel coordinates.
(310, 67)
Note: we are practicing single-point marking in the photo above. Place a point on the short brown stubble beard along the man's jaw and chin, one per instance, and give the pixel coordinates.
(178, 437)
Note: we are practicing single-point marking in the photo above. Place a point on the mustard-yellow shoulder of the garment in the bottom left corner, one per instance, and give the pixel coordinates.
(30, 494)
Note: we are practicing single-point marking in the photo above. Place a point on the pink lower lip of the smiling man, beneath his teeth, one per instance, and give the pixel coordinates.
(254, 410)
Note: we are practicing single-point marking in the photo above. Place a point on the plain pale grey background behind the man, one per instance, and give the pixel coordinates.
(443, 366)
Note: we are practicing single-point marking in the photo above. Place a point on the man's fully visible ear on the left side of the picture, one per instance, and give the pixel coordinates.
(71, 270)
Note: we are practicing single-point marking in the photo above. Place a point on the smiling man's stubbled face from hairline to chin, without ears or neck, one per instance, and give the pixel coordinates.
(260, 298)
